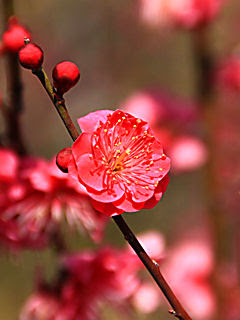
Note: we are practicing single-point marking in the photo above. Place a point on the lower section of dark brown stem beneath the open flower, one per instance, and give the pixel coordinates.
(153, 268)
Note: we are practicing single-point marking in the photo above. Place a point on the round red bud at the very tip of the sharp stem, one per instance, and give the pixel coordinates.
(31, 56)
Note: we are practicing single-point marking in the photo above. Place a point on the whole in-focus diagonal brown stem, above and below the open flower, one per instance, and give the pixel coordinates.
(153, 268)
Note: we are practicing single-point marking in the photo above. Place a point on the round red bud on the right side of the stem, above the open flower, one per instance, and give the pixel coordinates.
(65, 76)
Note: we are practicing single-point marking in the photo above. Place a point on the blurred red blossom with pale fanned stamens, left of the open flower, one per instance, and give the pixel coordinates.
(36, 197)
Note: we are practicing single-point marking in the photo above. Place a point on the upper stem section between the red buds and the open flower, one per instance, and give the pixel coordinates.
(58, 103)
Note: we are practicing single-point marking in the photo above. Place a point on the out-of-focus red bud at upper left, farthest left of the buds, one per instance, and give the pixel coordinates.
(13, 37)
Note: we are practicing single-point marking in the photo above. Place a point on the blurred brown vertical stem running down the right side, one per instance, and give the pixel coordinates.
(206, 96)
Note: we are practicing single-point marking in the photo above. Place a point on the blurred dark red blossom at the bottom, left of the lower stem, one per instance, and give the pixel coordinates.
(90, 279)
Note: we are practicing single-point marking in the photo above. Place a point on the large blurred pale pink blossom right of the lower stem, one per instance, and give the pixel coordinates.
(188, 268)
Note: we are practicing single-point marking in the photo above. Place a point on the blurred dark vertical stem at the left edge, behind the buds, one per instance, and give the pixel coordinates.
(15, 104)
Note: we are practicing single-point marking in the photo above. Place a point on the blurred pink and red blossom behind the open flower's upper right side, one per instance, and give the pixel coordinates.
(174, 122)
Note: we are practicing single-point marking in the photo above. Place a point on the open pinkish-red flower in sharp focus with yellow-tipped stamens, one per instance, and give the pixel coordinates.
(119, 161)
